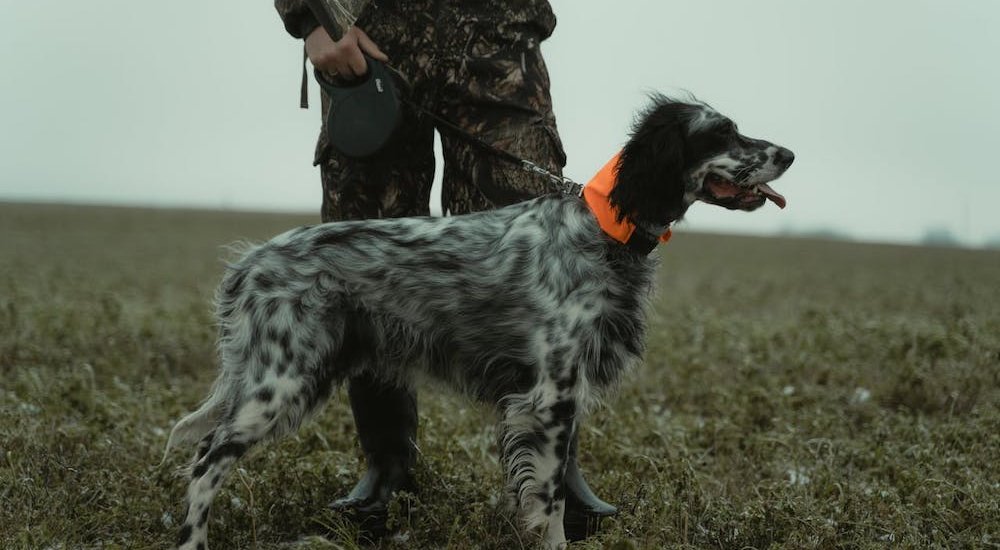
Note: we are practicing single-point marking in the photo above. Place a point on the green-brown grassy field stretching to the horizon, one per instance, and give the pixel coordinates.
(796, 394)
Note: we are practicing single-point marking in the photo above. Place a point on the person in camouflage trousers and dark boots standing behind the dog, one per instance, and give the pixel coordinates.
(477, 64)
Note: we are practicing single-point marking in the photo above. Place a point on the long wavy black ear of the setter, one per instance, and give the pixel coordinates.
(650, 182)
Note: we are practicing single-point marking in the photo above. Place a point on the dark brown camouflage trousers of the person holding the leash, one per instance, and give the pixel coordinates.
(477, 63)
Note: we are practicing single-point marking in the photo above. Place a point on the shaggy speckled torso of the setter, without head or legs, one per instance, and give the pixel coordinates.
(479, 301)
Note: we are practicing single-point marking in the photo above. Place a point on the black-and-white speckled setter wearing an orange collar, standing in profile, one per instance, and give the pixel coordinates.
(537, 308)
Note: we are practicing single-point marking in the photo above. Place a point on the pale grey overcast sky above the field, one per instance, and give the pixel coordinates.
(892, 107)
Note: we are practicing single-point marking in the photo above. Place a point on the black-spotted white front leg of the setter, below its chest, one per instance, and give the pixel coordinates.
(535, 435)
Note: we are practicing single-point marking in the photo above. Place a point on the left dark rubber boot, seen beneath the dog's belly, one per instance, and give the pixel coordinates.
(386, 420)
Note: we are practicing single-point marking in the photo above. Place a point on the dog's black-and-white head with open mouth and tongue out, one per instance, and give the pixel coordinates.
(682, 152)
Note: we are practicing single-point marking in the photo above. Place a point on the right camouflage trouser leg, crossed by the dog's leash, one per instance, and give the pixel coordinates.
(495, 85)
